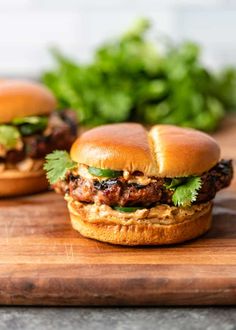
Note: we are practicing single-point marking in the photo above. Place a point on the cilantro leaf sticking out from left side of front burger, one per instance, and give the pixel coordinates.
(57, 164)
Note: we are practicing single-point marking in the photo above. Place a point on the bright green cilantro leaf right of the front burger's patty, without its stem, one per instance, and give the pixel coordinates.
(187, 192)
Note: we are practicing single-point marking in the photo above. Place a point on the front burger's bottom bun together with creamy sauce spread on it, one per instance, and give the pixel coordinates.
(190, 223)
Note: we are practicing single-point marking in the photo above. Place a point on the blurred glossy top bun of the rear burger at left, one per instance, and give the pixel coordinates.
(21, 98)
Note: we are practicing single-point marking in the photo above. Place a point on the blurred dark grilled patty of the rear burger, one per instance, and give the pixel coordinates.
(59, 134)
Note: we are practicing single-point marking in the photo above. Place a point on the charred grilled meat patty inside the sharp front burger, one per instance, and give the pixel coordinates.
(119, 192)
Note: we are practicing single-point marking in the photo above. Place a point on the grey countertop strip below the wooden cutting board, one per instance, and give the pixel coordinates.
(117, 318)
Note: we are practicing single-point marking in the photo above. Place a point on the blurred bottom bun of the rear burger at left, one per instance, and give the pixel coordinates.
(16, 183)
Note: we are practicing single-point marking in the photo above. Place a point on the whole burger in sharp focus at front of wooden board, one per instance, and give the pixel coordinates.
(127, 186)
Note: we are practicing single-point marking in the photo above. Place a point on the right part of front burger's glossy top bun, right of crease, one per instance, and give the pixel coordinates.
(183, 152)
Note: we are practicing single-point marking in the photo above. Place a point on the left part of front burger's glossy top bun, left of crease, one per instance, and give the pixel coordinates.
(117, 147)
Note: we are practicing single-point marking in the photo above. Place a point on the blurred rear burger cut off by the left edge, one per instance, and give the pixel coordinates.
(30, 128)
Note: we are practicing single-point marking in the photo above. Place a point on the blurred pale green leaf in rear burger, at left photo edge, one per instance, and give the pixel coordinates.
(9, 136)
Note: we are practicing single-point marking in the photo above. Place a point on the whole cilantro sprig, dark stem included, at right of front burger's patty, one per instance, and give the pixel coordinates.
(185, 190)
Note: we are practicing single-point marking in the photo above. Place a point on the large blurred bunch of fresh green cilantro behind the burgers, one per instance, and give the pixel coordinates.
(130, 79)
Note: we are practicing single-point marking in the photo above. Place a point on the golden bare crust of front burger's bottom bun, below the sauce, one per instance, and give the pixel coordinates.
(142, 233)
